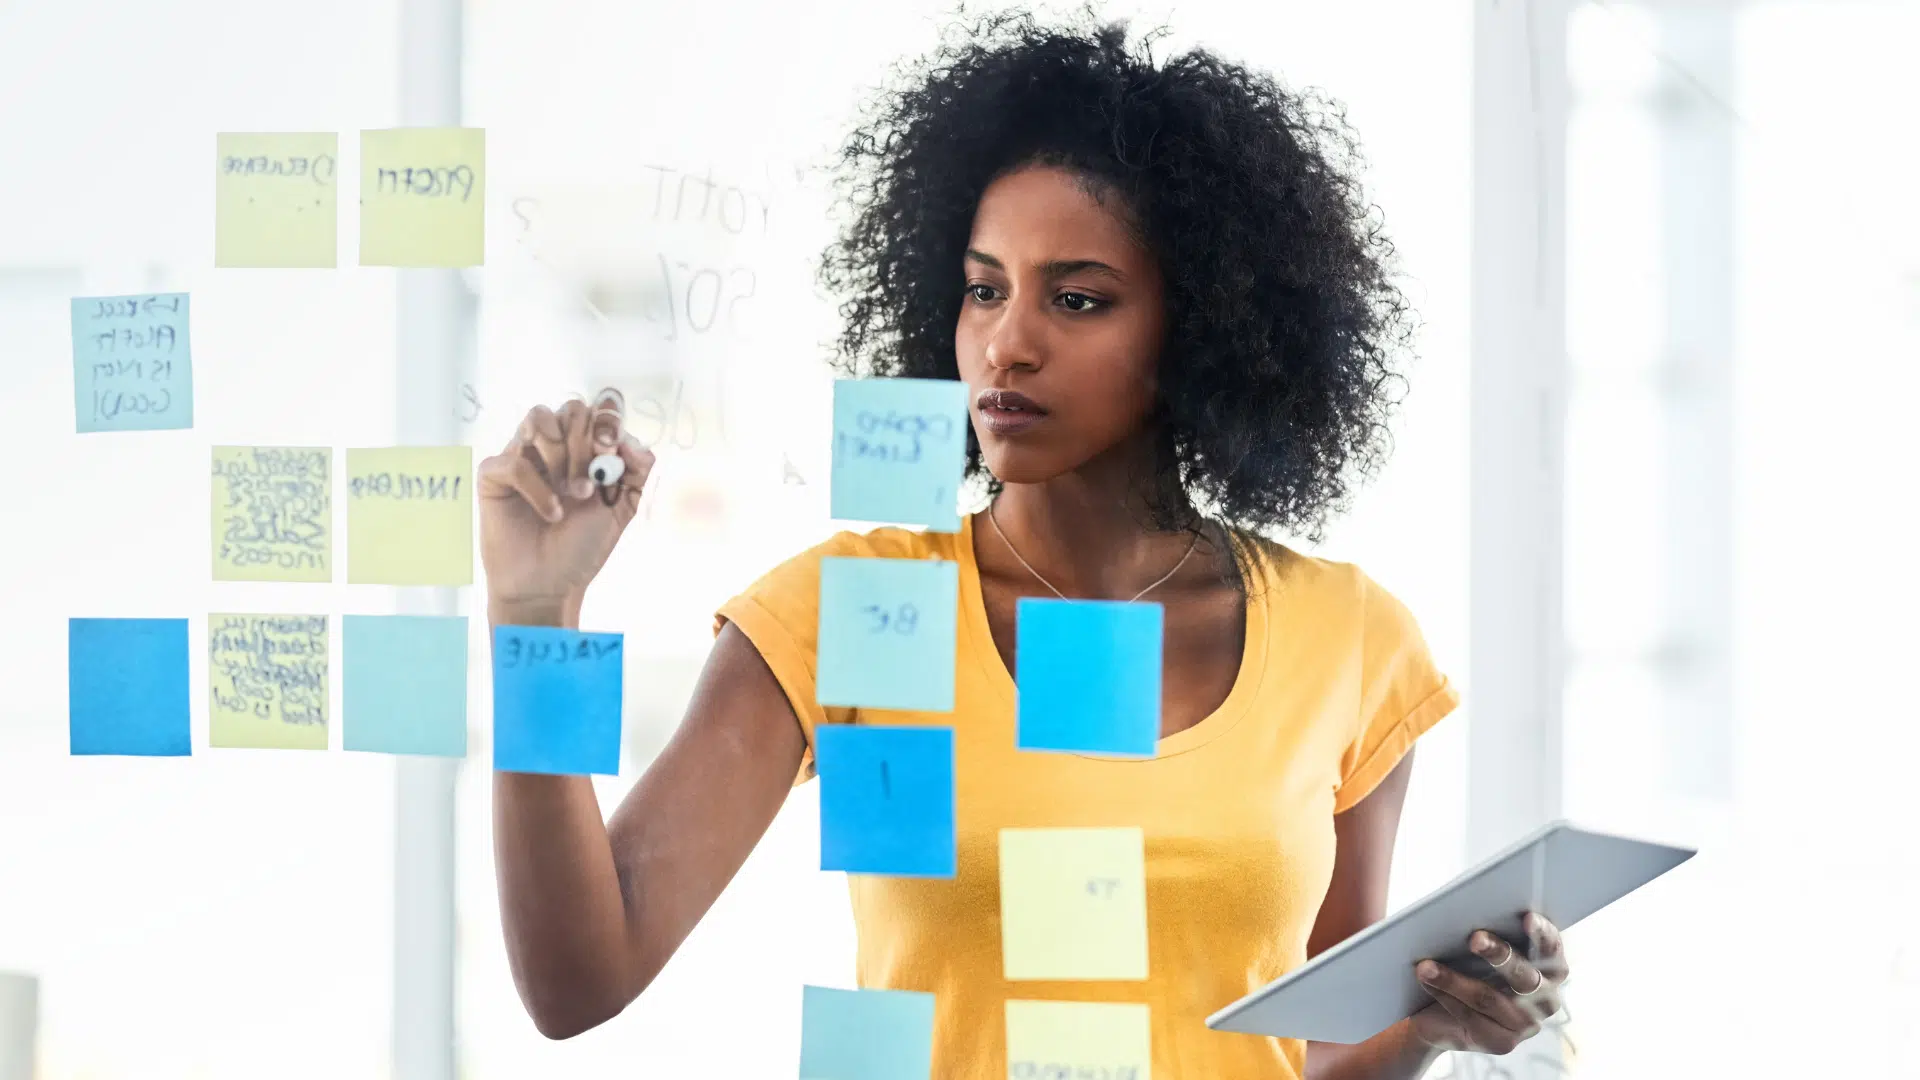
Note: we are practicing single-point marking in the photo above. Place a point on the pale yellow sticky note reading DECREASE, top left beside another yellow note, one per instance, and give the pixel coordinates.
(276, 199)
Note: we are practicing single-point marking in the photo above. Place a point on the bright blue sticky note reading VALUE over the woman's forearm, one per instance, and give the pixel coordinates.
(556, 700)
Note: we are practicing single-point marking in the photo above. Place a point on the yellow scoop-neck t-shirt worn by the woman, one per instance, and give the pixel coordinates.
(1237, 812)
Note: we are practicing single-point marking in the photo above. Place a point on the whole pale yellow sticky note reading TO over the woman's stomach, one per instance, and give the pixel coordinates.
(1074, 902)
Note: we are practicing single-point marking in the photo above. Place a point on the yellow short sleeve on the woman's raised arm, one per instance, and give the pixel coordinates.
(780, 616)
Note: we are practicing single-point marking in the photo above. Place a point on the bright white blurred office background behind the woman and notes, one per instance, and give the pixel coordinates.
(1650, 495)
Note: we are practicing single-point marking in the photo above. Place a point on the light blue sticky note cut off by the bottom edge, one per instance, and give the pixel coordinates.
(867, 1035)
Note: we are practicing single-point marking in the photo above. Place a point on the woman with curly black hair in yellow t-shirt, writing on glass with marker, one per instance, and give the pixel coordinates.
(1176, 322)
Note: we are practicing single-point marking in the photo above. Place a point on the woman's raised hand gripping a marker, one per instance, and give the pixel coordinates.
(546, 528)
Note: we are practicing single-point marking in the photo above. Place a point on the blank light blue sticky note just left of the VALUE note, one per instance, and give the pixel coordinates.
(404, 685)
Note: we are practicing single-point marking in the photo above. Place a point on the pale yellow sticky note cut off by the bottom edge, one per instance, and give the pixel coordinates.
(1078, 1039)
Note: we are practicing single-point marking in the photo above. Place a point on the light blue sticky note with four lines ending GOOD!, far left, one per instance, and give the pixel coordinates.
(132, 364)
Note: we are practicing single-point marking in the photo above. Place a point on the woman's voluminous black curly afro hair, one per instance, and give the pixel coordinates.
(1282, 310)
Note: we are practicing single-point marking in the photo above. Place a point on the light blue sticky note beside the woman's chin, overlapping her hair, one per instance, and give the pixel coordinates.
(900, 451)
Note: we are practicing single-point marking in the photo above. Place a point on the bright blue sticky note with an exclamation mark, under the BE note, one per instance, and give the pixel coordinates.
(886, 800)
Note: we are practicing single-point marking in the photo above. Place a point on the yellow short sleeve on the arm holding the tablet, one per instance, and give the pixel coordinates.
(1403, 695)
